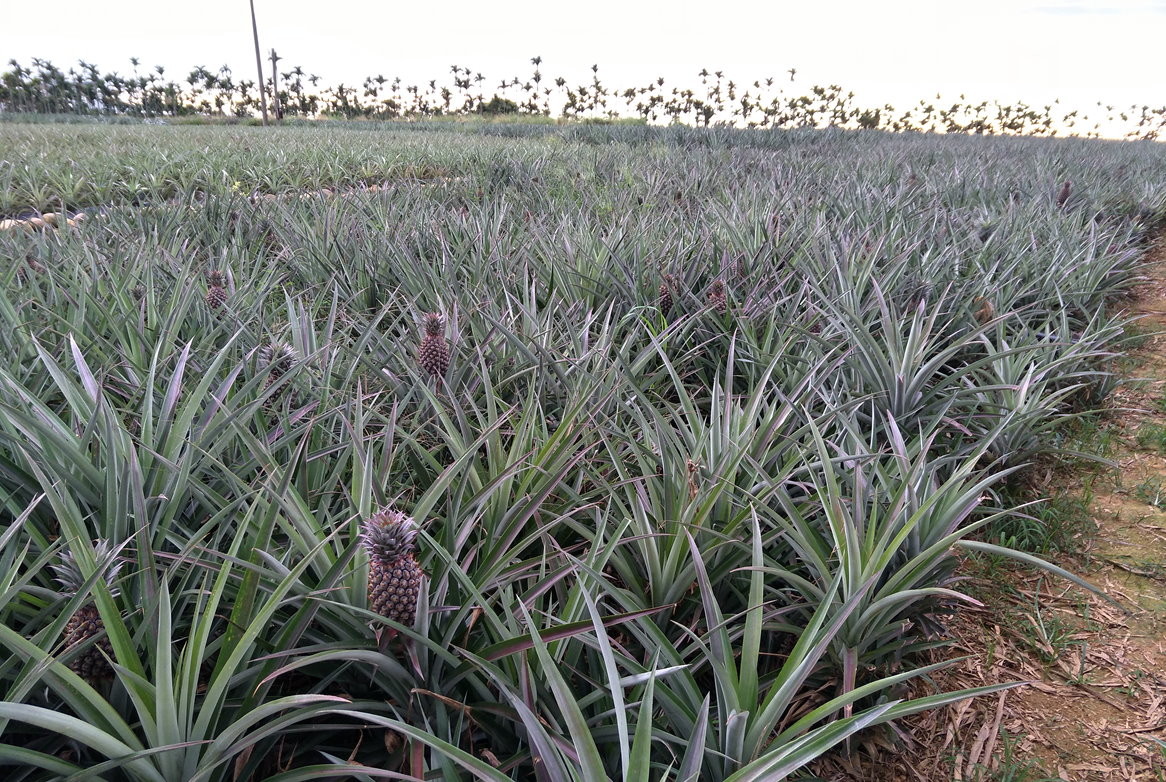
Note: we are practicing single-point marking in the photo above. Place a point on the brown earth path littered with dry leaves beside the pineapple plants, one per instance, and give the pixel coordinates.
(1093, 707)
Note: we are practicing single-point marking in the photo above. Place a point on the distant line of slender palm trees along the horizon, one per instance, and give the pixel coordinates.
(713, 100)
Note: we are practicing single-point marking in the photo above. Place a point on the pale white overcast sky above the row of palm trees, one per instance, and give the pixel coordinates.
(893, 52)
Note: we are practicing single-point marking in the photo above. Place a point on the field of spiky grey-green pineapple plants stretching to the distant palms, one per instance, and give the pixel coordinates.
(458, 452)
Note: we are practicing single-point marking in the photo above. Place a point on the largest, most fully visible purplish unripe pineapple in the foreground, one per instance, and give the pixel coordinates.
(395, 576)
